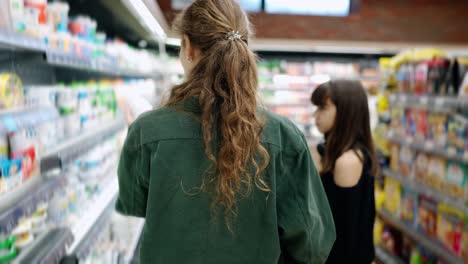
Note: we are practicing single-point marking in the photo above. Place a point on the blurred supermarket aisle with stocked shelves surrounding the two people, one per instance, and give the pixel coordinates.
(71, 82)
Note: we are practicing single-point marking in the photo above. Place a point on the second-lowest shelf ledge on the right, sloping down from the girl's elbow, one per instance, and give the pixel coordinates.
(424, 190)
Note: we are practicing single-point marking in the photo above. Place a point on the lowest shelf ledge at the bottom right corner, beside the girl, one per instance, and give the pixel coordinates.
(434, 246)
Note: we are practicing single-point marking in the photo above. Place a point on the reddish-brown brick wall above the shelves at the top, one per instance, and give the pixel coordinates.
(429, 21)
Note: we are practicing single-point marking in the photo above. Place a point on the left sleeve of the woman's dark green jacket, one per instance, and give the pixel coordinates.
(132, 170)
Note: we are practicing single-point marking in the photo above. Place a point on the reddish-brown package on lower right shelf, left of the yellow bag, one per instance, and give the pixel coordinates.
(427, 215)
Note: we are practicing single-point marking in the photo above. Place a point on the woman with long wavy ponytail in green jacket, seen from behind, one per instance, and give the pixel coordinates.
(218, 179)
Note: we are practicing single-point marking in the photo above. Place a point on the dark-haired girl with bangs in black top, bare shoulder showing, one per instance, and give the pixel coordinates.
(347, 164)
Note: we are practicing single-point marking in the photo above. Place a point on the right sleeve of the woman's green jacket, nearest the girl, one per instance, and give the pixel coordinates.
(306, 226)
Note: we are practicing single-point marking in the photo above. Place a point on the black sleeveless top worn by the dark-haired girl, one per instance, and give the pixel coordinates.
(353, 211)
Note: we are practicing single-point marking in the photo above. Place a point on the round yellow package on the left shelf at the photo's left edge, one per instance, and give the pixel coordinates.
(11, 91)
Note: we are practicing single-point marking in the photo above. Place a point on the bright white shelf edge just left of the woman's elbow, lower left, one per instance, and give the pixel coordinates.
(97, 207)
